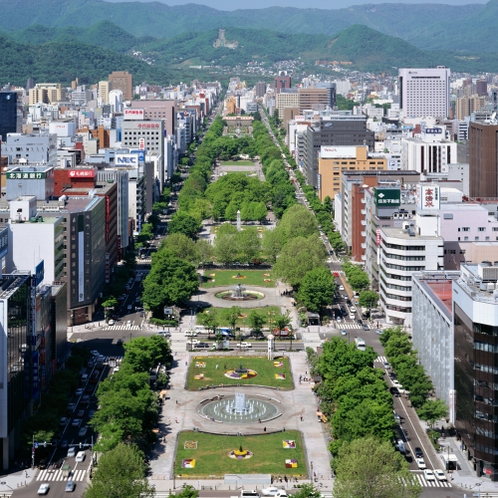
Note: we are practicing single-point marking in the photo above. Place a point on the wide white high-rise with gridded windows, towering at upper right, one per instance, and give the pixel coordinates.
(424, 92)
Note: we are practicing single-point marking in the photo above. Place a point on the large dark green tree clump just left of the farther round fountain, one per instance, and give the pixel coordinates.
(171, 281)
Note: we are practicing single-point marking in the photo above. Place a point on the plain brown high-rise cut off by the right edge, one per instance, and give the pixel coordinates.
(483, 151)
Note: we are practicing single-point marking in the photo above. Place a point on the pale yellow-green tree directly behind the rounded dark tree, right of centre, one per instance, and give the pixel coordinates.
(299, 256)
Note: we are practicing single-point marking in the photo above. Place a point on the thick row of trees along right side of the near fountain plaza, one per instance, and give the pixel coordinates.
(355, 398)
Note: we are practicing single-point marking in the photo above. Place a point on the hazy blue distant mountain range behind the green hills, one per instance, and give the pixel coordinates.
(156, 19)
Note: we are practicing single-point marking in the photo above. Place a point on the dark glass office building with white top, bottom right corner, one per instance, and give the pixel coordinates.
(475, 322)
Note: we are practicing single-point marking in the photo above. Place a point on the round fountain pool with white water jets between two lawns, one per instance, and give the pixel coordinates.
(230, 410)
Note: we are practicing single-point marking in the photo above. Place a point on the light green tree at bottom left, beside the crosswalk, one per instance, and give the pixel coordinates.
(121, 473)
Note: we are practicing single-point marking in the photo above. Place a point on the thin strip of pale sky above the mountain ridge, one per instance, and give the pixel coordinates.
(313, 4)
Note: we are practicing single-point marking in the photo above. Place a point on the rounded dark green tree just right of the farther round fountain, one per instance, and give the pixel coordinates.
(317, 289)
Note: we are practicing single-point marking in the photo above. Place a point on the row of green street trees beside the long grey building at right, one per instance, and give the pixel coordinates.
(404, 361)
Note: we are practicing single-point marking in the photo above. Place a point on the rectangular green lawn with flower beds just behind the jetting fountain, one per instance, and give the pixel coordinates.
(265, 369)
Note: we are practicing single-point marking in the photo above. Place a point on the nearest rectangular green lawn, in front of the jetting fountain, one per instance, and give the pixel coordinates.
(211, 456)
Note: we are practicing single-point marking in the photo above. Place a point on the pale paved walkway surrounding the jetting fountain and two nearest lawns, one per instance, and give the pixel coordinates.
(182, 406)
